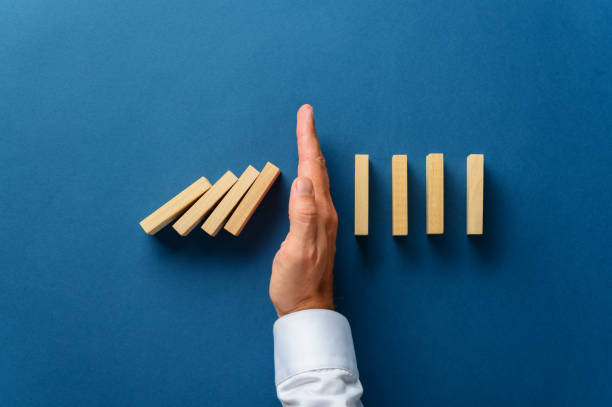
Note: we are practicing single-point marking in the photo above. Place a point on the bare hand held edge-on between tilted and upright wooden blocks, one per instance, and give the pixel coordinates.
(302, 271)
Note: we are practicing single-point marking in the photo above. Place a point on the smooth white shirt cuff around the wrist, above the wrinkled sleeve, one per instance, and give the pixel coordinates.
(310, 340)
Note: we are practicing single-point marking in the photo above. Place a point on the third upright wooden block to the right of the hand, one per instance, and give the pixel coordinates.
(435, 194)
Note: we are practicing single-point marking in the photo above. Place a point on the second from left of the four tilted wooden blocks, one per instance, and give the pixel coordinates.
(198, 211)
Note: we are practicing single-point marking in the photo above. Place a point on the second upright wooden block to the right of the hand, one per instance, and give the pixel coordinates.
(399, 171)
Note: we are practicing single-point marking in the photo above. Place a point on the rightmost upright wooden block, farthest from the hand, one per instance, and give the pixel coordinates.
(475, 193)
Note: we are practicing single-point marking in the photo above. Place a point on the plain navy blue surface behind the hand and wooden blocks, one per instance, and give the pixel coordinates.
(108, 108)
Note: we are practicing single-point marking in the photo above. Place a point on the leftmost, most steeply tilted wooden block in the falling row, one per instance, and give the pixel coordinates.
(174, 207)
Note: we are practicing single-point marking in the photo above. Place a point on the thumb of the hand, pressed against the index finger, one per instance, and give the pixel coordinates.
(302, 210)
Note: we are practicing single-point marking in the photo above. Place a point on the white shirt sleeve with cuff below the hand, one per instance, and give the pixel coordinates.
(314, 360)
